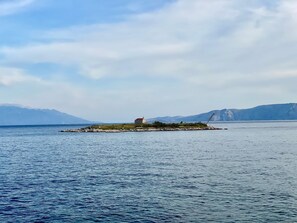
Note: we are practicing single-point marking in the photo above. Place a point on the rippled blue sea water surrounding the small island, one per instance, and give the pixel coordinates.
(245, 174)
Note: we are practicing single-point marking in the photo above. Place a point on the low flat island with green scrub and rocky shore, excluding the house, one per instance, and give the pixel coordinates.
(145, 127)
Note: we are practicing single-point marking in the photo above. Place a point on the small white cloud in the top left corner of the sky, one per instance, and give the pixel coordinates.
(8, 7)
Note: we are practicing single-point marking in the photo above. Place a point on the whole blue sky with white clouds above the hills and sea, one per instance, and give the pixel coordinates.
(115, 60)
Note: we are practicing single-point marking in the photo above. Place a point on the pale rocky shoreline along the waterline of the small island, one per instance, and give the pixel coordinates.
(139, 129)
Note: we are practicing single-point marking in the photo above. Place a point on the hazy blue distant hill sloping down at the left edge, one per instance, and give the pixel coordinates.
(17, 115)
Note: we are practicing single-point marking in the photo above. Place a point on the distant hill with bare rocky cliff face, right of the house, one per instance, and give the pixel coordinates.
(263, 112)
